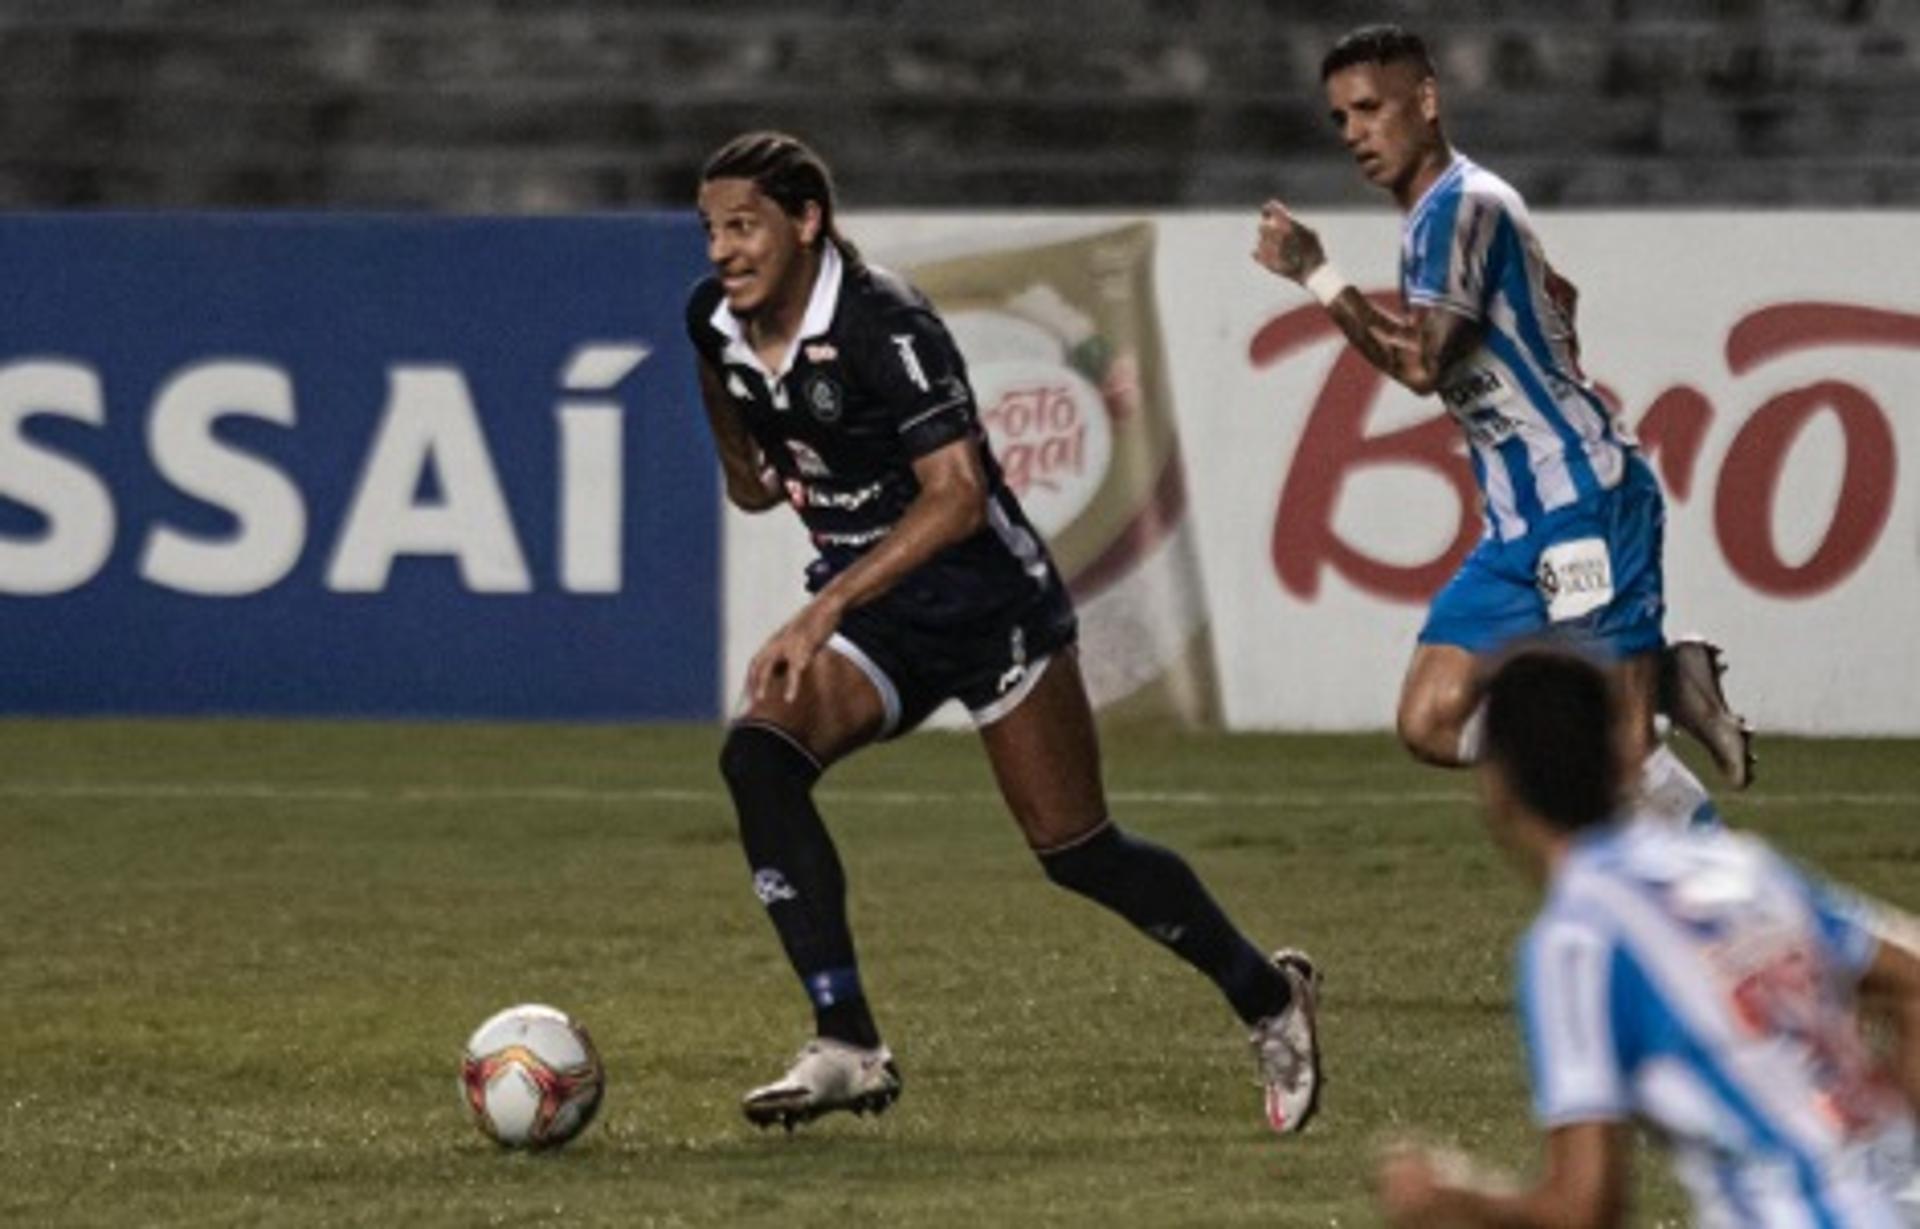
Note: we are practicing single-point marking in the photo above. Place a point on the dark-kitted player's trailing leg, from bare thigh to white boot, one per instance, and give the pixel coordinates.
(1045, 758)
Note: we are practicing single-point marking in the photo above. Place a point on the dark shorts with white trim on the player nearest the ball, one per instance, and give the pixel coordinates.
(988, 663)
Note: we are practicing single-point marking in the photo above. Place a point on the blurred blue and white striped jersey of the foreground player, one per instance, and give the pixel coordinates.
(1702, 984)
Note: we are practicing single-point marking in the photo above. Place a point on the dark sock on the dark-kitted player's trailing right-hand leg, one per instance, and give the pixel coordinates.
(1161, 894)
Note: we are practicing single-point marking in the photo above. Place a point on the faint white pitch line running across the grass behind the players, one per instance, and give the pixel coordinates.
(1195, 800)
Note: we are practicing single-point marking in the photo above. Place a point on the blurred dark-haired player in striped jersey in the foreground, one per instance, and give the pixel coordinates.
(1685, 978)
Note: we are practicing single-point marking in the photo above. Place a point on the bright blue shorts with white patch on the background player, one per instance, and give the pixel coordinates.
(1589, 573)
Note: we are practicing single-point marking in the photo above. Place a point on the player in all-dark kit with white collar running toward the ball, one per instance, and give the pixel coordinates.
(834, 387)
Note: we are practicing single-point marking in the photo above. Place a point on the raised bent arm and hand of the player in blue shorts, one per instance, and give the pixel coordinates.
(1412, 350)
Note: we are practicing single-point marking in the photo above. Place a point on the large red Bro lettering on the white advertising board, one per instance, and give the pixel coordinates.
(1739, 493)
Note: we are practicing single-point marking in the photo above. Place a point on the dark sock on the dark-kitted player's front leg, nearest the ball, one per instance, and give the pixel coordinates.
(798, 875)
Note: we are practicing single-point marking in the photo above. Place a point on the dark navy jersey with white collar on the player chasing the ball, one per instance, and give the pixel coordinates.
(873, 383)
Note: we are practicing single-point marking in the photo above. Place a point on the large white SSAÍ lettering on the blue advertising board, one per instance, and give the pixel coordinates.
(429, 425)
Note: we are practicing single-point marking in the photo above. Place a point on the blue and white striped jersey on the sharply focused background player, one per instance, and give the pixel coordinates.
(1541, 437)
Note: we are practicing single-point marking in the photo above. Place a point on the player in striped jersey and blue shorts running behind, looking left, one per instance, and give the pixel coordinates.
(1575, 518)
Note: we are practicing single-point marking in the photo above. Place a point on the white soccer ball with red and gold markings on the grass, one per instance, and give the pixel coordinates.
(533, 1078)
